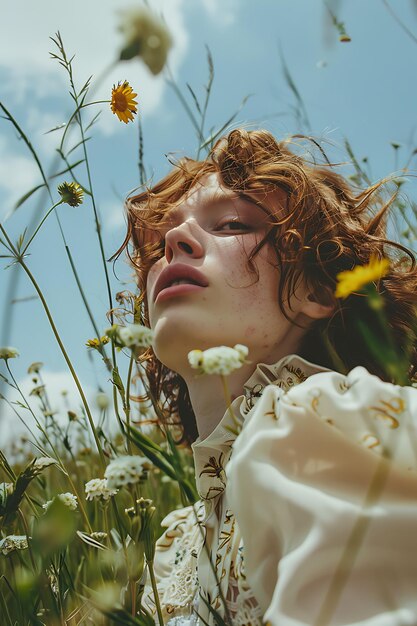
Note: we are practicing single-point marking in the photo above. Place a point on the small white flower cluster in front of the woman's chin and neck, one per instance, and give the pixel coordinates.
(221, 360)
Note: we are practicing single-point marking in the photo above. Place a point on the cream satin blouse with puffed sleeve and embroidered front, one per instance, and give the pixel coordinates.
(312, 521)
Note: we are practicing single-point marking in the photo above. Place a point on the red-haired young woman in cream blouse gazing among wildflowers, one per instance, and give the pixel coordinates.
(309, 515)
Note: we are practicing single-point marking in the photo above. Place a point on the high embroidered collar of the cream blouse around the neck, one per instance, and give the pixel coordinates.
(212, 453)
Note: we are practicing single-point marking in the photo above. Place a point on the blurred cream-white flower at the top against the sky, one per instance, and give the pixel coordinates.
(146, 37)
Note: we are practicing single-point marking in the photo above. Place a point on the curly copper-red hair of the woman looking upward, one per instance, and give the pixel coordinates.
(327, 227)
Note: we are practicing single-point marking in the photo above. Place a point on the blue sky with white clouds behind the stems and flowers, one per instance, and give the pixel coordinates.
(364, 90)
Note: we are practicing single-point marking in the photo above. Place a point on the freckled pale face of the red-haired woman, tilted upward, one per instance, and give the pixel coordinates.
(213, 230)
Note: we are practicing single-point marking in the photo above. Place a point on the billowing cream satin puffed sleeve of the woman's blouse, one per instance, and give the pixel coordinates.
(323, 483)
